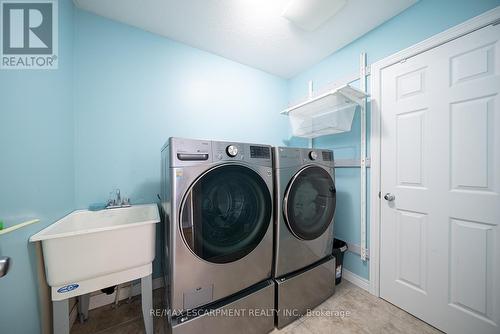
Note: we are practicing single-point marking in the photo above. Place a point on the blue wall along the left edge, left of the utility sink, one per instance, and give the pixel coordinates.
(36, 169)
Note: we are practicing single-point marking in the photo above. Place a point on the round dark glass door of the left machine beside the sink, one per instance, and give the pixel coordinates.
(226, 213)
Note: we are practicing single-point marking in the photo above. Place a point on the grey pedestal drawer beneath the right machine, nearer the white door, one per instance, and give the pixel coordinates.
(304, 290)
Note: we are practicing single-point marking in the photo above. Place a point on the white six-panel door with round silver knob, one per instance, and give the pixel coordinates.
(440, 159)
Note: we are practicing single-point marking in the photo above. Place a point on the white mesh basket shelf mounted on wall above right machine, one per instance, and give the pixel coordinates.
(328, 113)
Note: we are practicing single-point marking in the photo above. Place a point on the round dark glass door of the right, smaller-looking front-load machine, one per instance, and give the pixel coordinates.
(309, 204)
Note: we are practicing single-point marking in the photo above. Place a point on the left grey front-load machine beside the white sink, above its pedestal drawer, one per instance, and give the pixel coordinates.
(218, 205)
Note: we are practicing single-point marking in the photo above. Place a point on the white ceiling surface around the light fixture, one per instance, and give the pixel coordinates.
(251, 32)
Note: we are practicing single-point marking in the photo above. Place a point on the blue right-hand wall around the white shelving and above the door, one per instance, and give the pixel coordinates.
(423, 20)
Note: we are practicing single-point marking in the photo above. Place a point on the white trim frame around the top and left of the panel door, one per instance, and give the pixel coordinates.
(483, 20)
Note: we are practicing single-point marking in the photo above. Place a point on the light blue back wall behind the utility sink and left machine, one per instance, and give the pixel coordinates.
(134, 89)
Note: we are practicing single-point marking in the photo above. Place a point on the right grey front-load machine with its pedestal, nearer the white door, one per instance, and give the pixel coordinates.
(305, 202)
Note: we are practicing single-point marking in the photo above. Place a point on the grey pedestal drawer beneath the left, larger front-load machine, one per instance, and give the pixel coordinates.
(250, 312)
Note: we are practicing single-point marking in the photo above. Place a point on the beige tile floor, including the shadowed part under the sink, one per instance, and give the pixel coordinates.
(367, 315)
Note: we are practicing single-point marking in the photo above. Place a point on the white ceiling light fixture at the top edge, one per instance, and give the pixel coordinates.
(309, 15)
